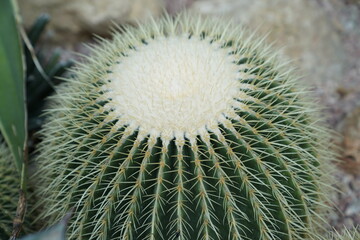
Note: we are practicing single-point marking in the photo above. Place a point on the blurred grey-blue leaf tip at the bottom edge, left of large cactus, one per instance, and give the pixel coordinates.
(56, 232)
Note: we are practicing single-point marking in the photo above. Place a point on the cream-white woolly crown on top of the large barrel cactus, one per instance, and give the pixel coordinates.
(174, 86)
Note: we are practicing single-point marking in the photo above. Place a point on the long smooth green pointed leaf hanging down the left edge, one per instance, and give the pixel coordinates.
(12, 97)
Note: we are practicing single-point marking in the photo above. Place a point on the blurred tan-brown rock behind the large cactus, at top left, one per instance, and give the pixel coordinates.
(94, 16)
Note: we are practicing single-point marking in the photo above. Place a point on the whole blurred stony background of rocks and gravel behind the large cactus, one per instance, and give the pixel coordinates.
(321, 37)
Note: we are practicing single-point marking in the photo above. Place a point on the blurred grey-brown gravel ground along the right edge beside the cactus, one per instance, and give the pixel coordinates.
(343, 111)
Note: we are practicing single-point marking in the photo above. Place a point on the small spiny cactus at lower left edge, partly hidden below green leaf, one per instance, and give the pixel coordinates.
(9, 191)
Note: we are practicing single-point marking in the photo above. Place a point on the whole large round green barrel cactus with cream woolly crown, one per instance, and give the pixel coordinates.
(182, 128)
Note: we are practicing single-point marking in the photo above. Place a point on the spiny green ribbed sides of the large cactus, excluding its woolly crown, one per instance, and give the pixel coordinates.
(257, 175)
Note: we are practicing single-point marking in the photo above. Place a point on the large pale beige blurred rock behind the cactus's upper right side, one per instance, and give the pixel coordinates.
(301, 27)
